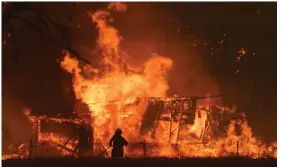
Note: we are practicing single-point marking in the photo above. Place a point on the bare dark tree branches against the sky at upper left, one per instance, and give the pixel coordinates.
(15, 11)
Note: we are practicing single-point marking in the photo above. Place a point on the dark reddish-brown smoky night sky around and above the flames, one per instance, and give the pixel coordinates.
(32, 75)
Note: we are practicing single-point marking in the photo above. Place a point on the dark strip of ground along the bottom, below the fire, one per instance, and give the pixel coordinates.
(71, 162)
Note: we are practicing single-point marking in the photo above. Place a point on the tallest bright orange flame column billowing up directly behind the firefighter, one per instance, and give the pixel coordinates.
(107, 94)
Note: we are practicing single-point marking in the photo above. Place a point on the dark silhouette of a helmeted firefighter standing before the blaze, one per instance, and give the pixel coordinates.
(118, 142)
